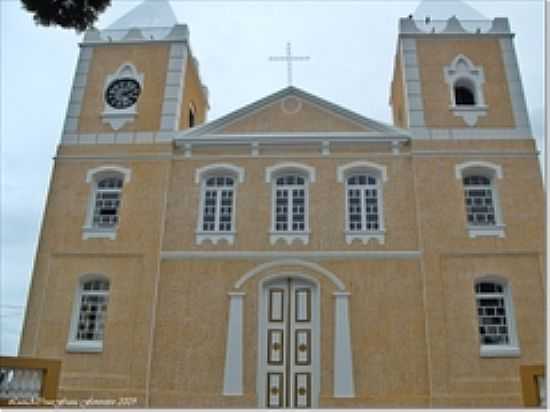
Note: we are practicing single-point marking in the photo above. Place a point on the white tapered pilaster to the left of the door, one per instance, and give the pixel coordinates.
(233, 374)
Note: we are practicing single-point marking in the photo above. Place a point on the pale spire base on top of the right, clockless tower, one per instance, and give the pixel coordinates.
(444, 9)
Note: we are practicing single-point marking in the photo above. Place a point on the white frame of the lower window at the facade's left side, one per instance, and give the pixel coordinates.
(74, 344)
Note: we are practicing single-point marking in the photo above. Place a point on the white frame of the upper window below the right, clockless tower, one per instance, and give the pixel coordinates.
(492, 171)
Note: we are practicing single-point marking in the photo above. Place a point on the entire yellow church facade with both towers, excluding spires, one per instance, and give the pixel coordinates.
(294, 253)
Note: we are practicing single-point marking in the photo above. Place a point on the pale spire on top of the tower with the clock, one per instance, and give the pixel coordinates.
(150, 13)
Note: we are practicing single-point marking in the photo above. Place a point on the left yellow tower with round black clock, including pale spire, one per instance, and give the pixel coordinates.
(136, 81)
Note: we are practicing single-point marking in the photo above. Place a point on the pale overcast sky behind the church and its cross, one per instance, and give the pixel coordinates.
(351, 45)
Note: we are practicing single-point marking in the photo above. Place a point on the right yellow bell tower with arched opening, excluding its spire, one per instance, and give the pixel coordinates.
(458, 79)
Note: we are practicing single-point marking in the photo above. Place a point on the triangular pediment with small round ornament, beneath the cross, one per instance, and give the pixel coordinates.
(289, 111)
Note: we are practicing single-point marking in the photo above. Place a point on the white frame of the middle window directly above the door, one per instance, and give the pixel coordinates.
(272, 174)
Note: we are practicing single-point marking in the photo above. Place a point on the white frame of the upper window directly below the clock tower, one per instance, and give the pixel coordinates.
(93, 176)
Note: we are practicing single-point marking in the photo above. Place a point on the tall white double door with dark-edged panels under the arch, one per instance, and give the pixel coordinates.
(289, 337)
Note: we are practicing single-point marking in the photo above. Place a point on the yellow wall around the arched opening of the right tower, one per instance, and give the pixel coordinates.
(435, 53)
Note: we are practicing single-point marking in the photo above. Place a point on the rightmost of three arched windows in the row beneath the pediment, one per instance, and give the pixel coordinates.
(364, 219)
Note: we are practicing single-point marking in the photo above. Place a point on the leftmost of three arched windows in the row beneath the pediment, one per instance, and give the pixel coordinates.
(218, 198)
